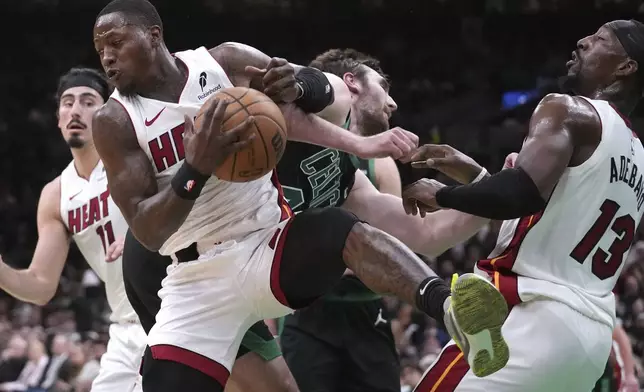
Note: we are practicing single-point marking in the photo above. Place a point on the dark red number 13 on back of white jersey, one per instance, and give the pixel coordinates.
(606, 263)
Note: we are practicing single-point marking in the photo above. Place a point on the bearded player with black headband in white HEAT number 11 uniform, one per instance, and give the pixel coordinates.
(76, 206)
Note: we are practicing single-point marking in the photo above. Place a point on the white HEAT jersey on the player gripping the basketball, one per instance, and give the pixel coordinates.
(224, 210)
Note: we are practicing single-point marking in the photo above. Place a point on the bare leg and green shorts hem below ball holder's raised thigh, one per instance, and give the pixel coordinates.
(259, 365)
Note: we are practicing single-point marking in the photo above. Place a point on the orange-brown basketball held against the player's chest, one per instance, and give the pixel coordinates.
(266, 149)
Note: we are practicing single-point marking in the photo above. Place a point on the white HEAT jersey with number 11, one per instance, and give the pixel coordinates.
(94, 222)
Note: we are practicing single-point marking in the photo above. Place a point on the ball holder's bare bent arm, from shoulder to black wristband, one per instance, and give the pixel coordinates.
(152, 214)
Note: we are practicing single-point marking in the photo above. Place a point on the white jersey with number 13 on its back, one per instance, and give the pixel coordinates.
(574, 250)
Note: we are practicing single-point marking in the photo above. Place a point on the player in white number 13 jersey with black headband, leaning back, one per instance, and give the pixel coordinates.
(571, 206)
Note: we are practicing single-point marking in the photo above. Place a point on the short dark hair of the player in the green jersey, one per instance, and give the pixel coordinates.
(341, 61)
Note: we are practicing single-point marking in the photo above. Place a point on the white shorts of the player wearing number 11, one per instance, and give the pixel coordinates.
(121, 361)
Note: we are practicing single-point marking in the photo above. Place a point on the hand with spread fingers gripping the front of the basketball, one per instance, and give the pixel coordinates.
(207, 147)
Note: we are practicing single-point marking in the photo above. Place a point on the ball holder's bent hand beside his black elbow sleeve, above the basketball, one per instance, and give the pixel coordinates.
(278, 79)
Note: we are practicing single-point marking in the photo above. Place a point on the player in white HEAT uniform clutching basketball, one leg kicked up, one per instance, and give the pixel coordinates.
(248, 262)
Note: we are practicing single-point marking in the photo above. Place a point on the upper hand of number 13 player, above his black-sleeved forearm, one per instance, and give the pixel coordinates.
(448, 161)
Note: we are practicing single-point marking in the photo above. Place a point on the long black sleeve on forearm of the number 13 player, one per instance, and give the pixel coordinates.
(508, 194)
